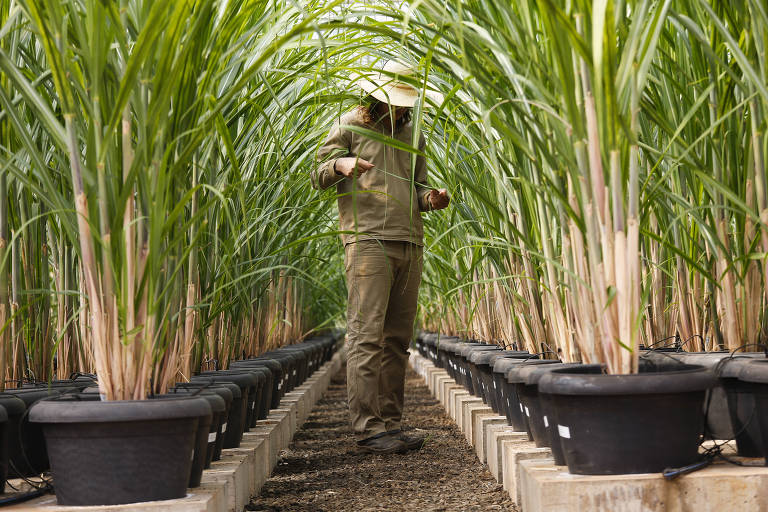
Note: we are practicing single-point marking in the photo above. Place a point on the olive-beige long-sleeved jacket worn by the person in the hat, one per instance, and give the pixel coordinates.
(385, 202)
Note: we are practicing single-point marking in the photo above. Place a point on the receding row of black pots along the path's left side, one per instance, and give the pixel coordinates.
(116, 452)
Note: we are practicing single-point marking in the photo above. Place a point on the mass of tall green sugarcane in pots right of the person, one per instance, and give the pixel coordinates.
(615, 150)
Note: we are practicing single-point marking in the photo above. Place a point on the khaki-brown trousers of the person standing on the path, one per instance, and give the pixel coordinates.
(383, 285)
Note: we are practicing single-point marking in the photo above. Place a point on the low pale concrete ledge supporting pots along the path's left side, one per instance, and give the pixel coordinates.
(240, 474)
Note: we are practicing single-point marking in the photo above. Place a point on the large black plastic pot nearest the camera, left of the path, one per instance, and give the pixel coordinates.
(116, 452)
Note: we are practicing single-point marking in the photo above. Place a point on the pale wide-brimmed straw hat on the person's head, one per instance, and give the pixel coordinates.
(385, 85)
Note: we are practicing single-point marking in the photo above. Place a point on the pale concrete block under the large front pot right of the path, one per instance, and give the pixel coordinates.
(719, 487)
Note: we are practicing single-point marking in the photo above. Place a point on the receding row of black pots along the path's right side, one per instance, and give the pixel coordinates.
(616, 424)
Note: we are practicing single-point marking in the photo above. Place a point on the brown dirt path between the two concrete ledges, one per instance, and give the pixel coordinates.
(323, 472)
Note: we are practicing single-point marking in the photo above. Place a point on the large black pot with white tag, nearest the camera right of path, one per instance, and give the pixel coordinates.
(626, 424)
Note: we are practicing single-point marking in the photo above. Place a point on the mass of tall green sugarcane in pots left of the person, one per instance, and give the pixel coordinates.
(153, 147)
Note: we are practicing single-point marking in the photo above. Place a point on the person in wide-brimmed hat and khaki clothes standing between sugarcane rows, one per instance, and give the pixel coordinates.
(381, 194)
